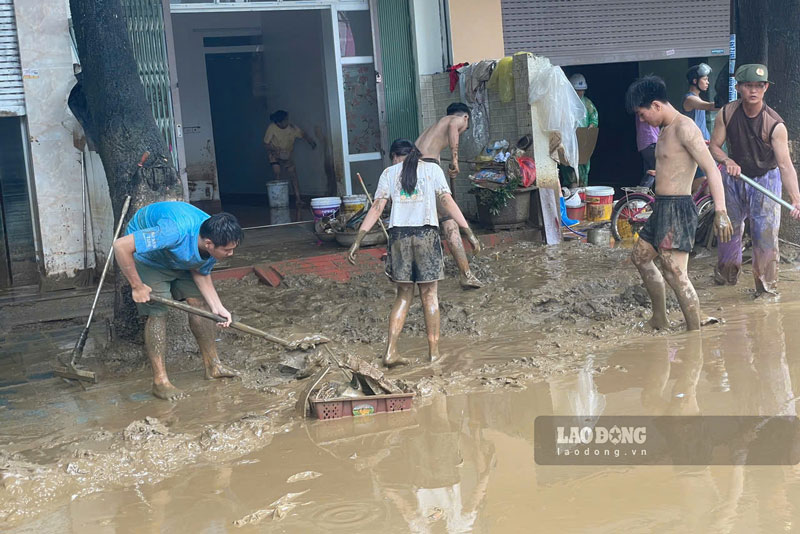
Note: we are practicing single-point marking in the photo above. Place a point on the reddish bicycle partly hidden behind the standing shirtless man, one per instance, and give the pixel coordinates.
(631, 213)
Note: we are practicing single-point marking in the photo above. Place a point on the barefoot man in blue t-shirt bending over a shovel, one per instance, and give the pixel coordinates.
(169, 250)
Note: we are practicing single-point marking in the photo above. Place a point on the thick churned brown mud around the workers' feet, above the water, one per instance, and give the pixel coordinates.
(542, 310)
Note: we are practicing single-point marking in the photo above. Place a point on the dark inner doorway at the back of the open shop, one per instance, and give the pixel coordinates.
(237, 118)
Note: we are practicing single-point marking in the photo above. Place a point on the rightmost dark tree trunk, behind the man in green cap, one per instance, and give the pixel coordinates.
(784, 72)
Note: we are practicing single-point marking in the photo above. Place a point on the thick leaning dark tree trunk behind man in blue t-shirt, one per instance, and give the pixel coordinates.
(119, 120)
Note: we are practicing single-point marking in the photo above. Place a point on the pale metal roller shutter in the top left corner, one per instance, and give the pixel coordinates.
(12, 93)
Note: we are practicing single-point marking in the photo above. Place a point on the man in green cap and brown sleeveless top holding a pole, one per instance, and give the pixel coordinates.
(758, 147)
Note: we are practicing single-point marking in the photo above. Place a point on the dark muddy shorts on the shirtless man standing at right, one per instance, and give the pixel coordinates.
(672, 224)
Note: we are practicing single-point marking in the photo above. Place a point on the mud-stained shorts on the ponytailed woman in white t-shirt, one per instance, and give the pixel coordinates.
(415, 254)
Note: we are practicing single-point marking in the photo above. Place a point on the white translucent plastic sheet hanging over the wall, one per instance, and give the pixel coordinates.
(560, 108)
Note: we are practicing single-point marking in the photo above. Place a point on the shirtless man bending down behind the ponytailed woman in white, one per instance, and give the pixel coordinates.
(431, 143)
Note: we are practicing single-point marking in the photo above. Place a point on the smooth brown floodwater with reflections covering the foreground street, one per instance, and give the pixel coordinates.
(464, 462)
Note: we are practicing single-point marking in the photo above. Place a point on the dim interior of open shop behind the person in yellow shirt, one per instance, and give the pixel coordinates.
(234, 70)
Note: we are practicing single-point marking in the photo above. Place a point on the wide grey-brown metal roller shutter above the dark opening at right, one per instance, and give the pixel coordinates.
(580, 32)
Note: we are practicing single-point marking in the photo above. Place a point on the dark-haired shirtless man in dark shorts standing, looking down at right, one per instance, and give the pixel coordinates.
(669, 232)
